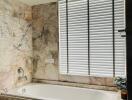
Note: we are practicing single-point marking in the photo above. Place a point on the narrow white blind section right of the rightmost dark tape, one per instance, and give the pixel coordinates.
(120, 42)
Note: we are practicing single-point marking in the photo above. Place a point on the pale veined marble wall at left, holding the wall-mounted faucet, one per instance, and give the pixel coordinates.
(15, 42)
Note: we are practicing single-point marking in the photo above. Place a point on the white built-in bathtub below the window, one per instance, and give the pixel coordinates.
(57, 92)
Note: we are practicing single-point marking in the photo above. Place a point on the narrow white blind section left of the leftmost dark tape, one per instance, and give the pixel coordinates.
(62, 37)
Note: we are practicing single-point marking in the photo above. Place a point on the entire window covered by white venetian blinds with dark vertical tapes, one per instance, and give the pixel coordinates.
(90, 41)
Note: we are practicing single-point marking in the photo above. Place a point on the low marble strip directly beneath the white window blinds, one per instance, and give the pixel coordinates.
(91, 80)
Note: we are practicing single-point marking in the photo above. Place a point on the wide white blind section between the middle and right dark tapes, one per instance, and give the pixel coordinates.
(101, 37)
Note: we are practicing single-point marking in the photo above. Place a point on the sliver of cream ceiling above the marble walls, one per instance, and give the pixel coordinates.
(36, 2)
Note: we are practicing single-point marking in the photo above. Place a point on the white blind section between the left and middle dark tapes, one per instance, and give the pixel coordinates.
(78, 37)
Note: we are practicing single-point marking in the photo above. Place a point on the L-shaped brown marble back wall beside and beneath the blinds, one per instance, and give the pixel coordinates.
(45, 48)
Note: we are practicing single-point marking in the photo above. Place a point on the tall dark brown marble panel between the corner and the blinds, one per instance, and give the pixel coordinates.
(45, 41)
